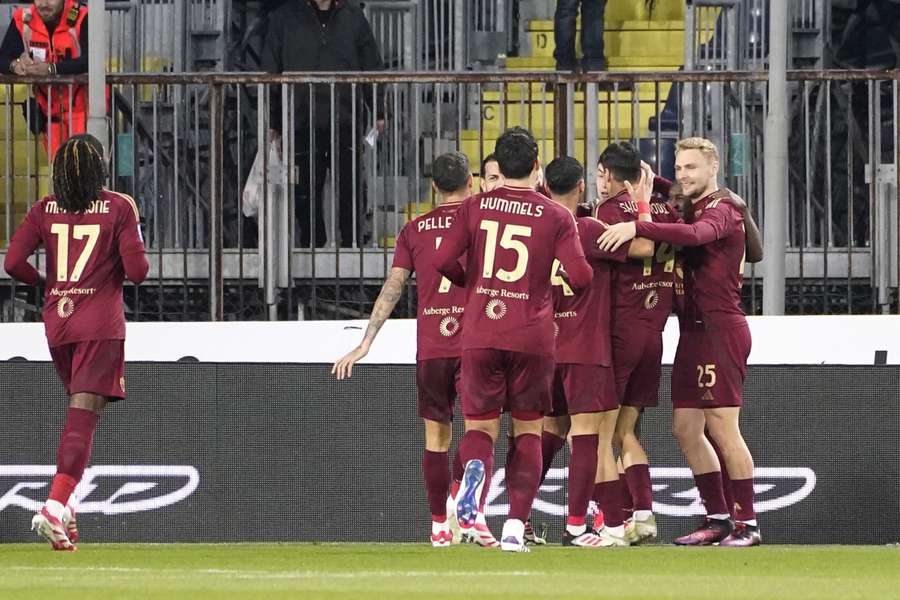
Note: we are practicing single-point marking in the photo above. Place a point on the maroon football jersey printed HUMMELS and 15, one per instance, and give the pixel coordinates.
(511, 236)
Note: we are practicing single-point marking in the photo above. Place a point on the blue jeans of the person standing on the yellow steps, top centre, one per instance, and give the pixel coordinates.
(591, 34)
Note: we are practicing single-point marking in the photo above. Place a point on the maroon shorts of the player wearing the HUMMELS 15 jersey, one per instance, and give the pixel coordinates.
(494, 379)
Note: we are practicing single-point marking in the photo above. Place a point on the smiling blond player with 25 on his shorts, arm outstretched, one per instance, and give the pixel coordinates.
(711, 361)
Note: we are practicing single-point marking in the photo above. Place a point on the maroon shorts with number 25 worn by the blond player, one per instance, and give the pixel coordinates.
(710, 367)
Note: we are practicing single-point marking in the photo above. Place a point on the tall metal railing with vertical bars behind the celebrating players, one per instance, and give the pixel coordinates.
(322, 242)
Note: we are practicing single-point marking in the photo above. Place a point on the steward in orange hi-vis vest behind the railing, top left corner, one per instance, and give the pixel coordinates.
(50, 37)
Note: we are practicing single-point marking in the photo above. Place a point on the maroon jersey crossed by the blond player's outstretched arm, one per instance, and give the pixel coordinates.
(642, 288)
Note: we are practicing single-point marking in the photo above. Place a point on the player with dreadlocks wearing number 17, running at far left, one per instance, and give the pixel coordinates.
(93, 243)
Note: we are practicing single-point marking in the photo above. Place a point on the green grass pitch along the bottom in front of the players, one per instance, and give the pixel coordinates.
(387, 571)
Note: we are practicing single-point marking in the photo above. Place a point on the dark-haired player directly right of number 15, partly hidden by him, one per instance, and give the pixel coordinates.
(584, 392)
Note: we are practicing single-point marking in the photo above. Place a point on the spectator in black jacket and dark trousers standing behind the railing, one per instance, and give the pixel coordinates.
(324, 35)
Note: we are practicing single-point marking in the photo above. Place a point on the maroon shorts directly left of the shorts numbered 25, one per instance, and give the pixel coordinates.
(637, 361)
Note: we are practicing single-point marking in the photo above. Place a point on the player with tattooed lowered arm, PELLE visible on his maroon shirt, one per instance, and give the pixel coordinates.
(439, 323)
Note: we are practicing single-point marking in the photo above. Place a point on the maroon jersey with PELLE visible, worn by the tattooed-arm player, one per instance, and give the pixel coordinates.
(440, 304)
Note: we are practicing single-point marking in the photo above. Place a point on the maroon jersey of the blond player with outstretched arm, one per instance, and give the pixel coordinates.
(714, 265)
